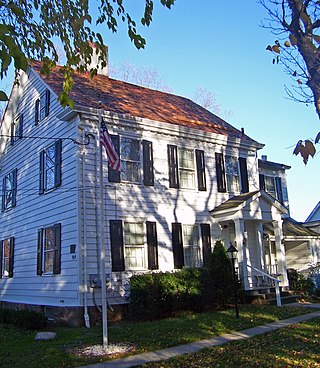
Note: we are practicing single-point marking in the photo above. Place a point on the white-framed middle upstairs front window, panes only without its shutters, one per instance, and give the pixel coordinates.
(187, 168)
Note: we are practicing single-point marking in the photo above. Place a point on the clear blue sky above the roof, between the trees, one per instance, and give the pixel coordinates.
(220, 45)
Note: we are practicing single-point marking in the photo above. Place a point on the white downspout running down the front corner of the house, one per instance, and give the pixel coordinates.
(85, 275)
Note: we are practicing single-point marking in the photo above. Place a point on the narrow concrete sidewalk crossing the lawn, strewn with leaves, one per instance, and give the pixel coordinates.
(136, 360)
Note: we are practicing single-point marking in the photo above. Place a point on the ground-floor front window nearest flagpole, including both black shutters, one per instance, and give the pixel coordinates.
(130, 248)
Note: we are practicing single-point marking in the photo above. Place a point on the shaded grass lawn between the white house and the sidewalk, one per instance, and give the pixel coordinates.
(19, 349)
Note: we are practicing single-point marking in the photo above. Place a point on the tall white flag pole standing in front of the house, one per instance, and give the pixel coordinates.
(102, 243)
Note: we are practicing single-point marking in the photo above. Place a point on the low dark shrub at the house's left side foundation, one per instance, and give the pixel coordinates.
(23, 319)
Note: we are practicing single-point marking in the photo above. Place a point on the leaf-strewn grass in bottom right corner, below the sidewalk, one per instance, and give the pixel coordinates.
(294, 346)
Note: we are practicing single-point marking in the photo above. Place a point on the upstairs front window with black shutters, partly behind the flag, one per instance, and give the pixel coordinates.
(136, 161)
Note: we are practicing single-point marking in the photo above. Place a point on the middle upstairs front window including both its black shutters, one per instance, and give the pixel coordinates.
(185, 166)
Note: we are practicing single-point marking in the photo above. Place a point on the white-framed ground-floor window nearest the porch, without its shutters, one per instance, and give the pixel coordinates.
(191, 250)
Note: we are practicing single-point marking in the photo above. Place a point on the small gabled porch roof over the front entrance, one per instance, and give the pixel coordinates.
(256, 205)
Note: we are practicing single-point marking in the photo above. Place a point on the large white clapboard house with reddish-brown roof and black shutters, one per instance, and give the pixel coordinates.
(187, 179)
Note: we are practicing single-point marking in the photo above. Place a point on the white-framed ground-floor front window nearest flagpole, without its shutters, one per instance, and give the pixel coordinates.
(135, 242)
